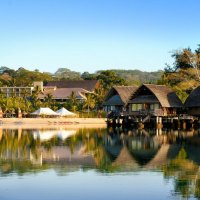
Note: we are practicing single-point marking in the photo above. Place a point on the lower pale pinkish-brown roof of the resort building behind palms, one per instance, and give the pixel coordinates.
(64, 93)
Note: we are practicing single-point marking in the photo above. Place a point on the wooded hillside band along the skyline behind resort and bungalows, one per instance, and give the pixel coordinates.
(22, 76)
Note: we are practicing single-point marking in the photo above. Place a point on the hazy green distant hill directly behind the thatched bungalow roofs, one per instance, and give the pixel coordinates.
(138, 77)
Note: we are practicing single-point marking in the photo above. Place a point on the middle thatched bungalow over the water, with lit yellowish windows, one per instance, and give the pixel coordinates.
(156, 100)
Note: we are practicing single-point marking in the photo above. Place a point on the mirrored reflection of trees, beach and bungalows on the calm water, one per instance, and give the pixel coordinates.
(174, 153)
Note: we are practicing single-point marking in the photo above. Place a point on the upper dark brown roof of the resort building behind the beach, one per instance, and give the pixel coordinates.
(89, 85)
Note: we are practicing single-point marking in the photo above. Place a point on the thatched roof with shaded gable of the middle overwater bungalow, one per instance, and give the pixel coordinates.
(164, 95)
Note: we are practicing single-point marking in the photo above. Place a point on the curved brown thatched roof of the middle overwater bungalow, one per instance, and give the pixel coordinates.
(165, 95)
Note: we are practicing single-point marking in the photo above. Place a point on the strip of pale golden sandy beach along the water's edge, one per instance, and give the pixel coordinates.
(52, 123)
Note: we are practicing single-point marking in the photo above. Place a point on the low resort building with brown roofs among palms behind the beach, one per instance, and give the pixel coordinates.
(59, 90)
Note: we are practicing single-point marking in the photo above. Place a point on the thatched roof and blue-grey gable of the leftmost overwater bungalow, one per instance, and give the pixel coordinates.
(119, 95)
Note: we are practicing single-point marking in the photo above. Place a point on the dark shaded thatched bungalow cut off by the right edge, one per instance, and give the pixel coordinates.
(192, 103)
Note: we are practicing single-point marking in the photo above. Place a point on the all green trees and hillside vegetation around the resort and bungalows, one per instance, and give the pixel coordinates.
(183, 76)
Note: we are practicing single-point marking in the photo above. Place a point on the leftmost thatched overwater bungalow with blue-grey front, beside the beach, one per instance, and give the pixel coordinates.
(117, 97)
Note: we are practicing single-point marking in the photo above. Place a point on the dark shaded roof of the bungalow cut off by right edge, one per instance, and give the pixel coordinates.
(193, 99)
